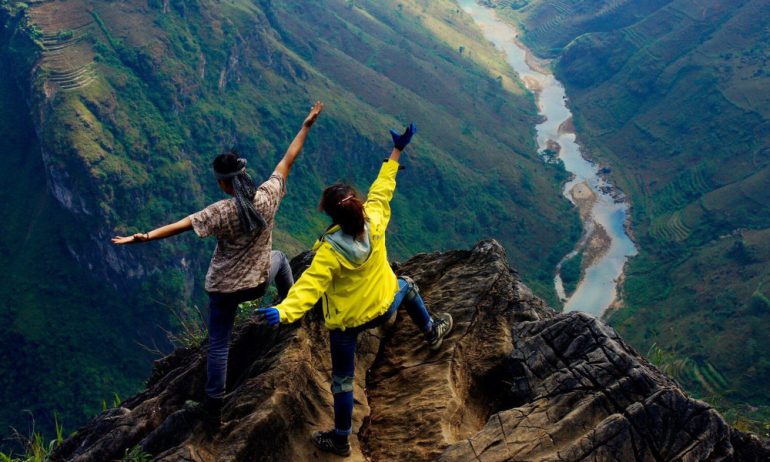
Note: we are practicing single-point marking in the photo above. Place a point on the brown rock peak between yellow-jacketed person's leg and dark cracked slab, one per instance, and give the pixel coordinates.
(420, 401)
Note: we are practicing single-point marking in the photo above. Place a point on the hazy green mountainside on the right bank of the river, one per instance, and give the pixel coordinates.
(673, 95)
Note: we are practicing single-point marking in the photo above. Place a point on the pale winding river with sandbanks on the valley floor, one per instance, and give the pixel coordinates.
(605, 244)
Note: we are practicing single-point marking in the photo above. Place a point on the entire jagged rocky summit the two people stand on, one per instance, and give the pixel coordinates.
(514, 381)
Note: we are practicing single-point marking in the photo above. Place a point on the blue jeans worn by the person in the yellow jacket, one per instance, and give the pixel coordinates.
(343, 350)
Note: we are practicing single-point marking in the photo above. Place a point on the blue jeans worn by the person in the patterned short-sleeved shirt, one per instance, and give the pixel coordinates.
(222, 309)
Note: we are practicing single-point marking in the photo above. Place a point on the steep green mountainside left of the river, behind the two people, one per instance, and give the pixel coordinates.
(112, 111)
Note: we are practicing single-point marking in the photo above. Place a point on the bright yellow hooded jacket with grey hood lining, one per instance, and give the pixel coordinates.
(352, 294)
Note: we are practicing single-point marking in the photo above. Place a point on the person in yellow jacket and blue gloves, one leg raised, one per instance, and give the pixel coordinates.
(358, 290)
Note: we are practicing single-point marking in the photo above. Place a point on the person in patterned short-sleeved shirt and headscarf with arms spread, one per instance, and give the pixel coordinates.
(243, 264)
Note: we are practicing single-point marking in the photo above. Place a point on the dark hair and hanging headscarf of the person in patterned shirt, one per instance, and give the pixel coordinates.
(231, 168)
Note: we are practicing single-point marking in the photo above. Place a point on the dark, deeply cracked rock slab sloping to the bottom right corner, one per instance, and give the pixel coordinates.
(594, 397)
